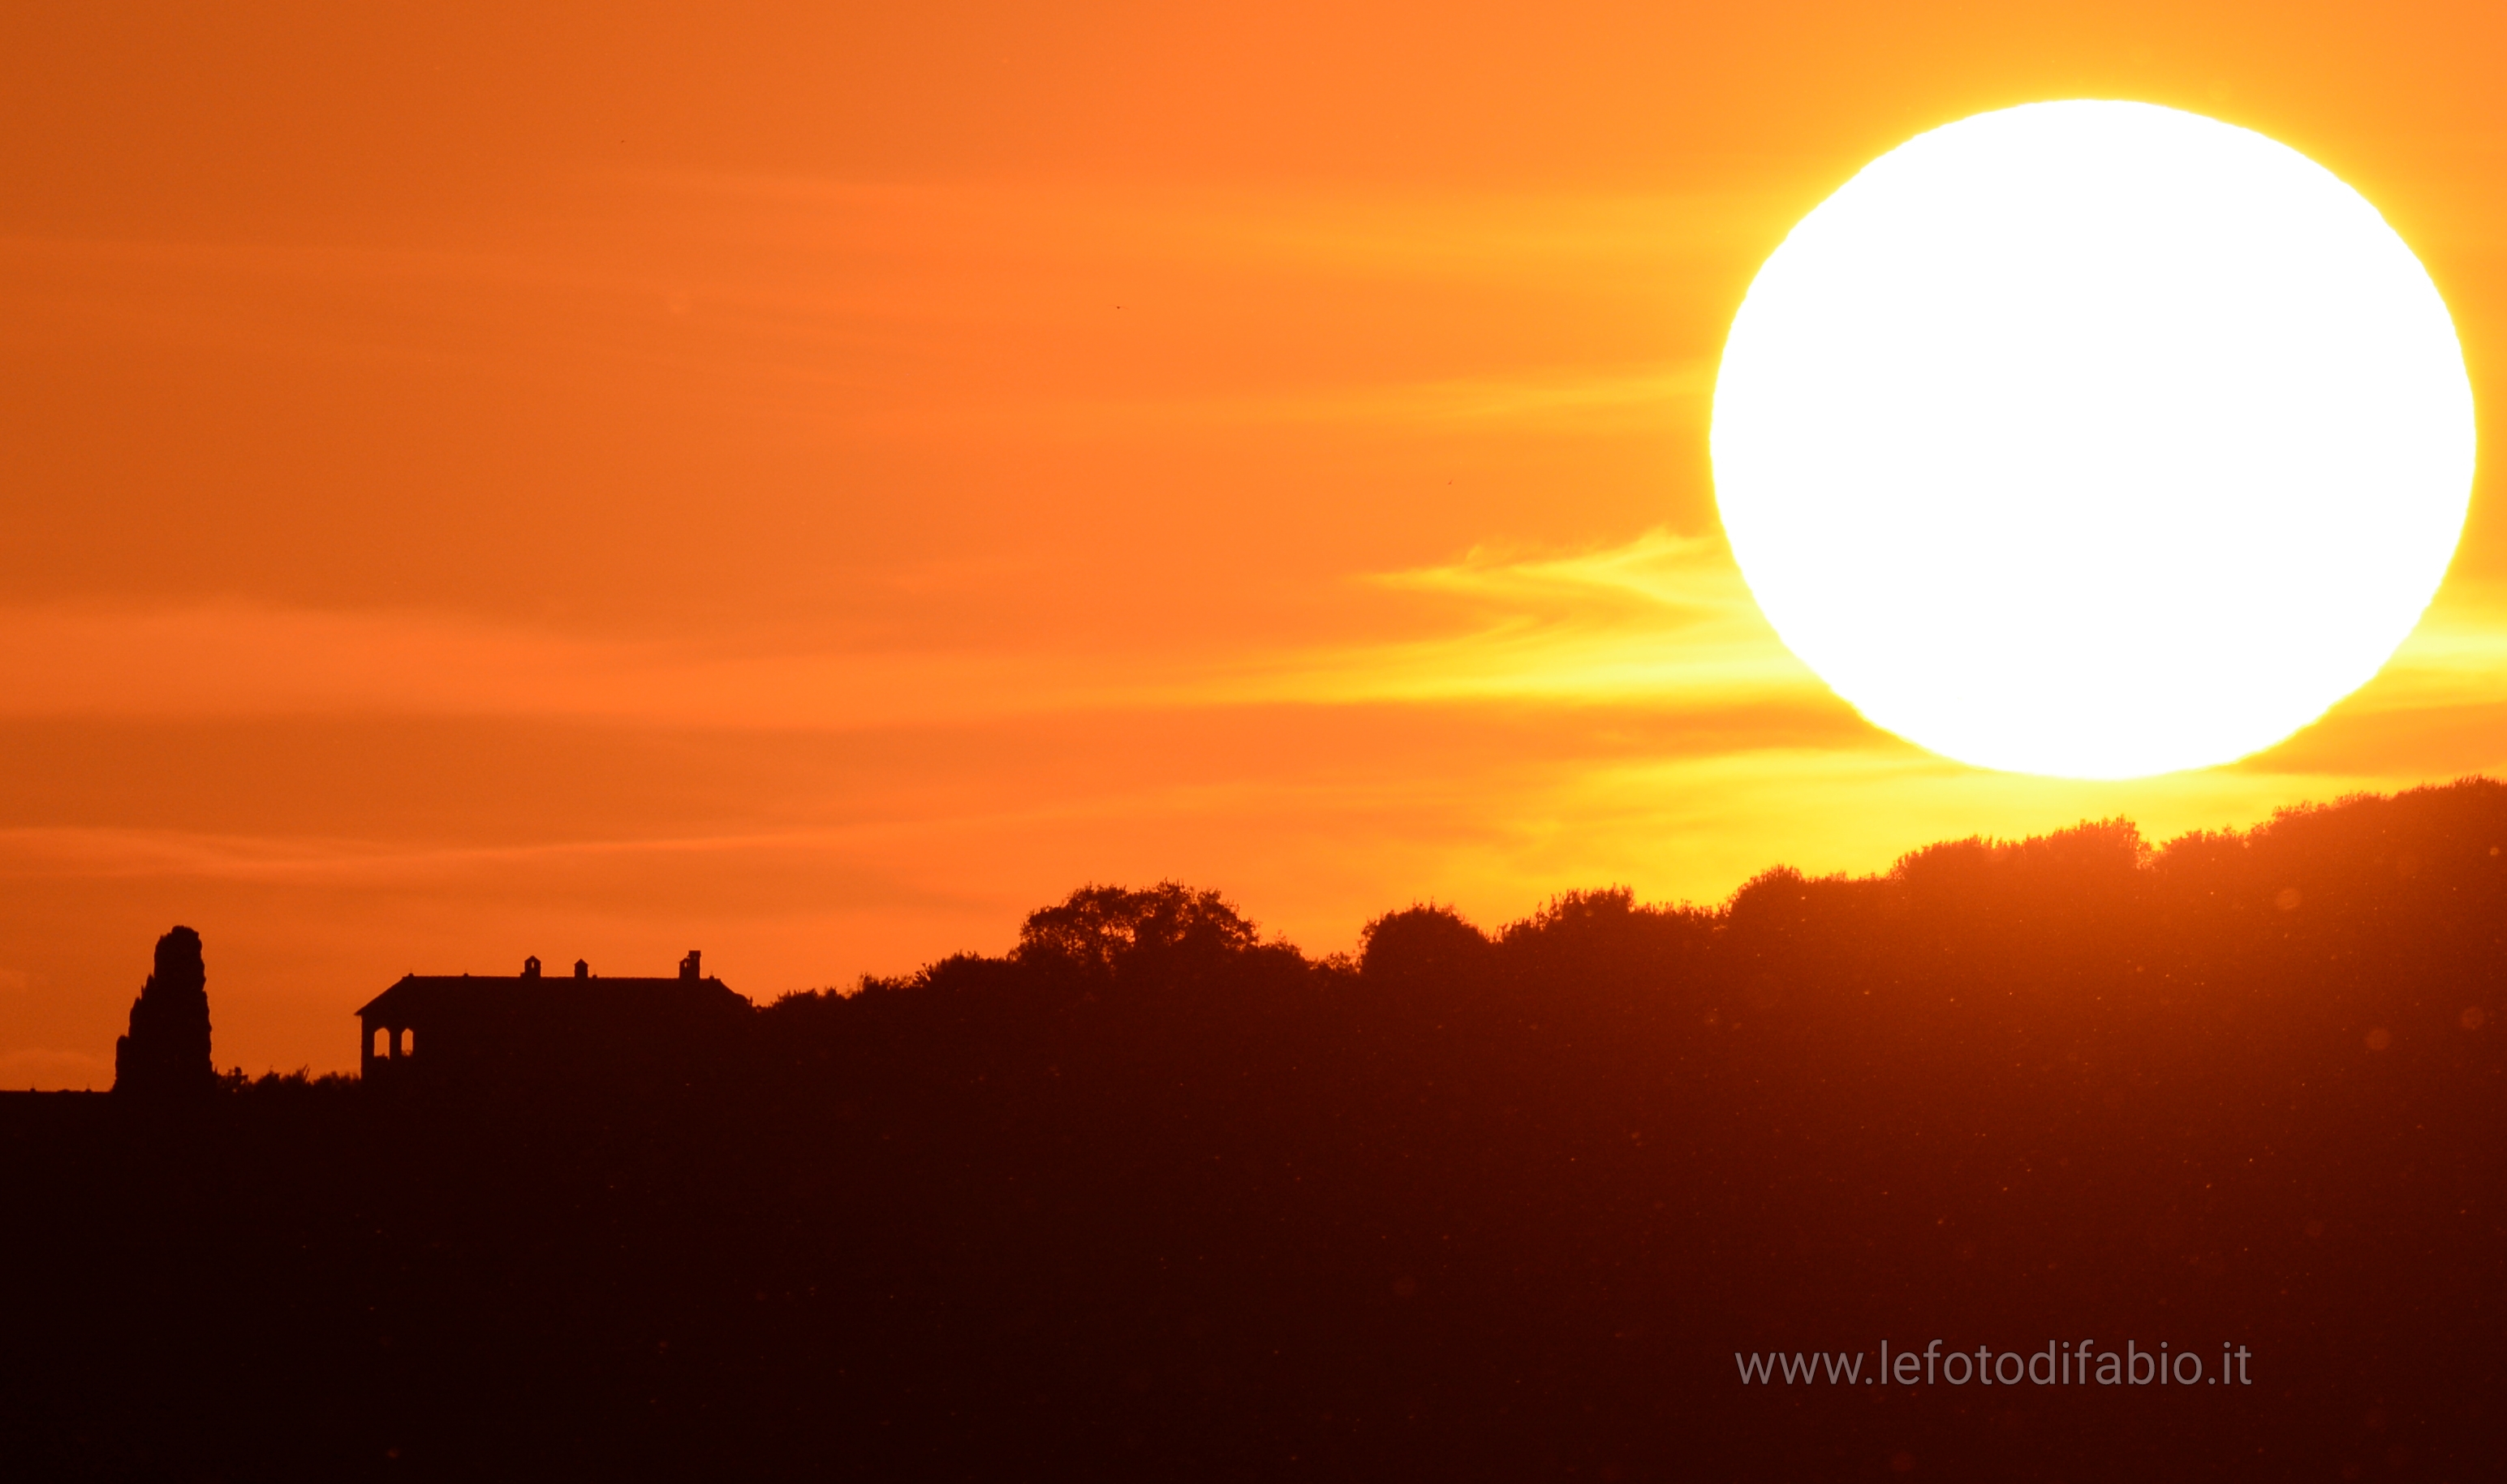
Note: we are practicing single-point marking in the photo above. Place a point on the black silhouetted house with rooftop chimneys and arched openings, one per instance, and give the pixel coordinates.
(528, 1029)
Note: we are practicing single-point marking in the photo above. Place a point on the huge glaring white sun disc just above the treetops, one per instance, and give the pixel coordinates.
(2092, 440)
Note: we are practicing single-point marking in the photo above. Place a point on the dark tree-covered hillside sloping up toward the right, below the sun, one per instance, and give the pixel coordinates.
(1152, 1199)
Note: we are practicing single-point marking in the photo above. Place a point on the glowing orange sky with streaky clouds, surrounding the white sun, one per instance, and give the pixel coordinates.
(816, 483)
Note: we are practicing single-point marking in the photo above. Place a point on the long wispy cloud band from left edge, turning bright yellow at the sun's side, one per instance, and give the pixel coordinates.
(1663, 620)
